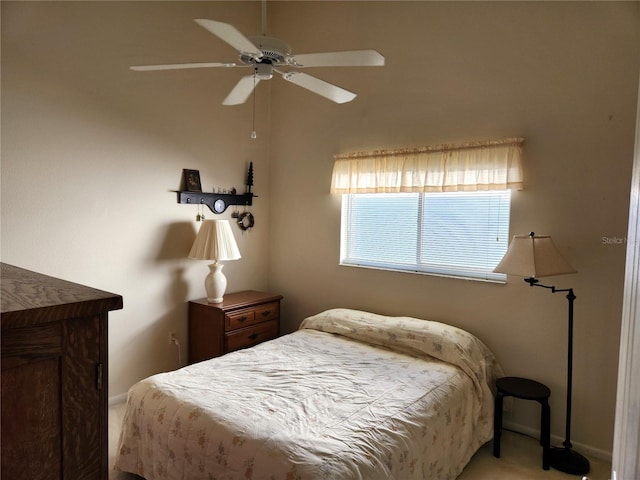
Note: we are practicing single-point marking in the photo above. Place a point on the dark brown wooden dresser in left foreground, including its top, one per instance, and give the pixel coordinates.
(54, 377)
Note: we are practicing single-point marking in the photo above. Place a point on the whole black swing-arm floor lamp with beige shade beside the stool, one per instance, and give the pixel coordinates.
(532, 256)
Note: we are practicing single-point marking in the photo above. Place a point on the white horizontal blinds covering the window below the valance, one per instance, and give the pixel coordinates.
(461, 234)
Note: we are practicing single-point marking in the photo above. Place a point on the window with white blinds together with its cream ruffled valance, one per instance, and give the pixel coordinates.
(440, 209)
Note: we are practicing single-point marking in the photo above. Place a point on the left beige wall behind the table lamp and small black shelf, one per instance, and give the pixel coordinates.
(91, 152)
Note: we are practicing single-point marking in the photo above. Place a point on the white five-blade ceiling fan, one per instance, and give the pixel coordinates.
(266, 55)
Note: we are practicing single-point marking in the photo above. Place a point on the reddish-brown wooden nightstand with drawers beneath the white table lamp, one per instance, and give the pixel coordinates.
(241, 320)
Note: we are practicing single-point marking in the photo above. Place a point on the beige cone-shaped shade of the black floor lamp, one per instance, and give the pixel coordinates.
(533, 256)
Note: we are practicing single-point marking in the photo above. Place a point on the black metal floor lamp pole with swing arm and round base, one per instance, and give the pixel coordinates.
(564, 458)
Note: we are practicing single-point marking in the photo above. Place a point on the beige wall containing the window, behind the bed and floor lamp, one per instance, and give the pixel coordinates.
(562, 75)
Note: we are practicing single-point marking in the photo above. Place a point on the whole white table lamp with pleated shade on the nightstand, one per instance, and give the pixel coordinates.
(215, 241)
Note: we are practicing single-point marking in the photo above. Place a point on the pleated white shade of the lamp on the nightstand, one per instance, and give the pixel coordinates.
(215, 241)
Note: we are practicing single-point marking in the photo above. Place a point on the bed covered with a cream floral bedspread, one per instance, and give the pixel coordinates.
(349, 395)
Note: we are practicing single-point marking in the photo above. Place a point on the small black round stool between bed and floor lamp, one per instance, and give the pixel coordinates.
(527, 390)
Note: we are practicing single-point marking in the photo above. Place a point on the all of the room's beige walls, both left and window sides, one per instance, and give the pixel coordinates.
(91, 152)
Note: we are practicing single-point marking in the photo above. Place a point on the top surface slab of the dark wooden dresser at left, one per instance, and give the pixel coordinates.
(28, 297)
